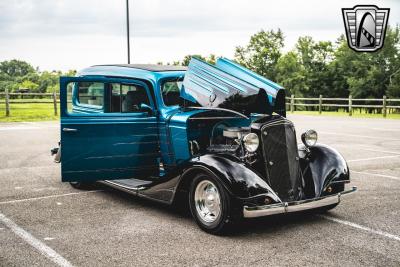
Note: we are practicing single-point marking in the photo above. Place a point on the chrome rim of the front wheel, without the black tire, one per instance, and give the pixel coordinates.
(207, 201)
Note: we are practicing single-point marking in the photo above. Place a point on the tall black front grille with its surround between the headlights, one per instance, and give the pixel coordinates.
(281, 158)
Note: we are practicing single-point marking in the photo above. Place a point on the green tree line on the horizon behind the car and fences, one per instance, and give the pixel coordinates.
(312, 68)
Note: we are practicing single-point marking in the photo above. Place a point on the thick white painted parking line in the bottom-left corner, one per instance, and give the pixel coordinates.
(37, 244)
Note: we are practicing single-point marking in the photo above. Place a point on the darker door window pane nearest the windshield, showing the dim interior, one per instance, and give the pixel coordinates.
(127, 98)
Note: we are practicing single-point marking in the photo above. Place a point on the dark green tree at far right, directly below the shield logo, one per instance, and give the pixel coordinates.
(369, 75)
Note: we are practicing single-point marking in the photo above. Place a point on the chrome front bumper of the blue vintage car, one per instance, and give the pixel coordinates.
(285, 207)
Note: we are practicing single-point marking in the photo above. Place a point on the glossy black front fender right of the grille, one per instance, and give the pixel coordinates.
(322, 166)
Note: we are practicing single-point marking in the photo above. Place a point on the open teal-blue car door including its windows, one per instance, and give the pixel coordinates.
(106, 133)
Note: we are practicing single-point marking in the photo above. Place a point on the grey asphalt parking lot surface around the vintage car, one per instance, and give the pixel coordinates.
(44, 222)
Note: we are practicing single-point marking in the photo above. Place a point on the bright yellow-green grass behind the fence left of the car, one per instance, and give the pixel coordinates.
(28, 112)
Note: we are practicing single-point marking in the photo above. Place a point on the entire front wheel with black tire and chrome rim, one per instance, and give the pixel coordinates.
(210, 204)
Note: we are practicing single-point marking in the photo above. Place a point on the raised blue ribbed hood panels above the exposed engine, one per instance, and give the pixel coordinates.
(231, 86)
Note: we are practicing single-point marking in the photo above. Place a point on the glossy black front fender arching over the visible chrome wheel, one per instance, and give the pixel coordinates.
(238, 178)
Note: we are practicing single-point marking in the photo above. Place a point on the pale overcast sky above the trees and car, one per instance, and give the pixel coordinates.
(72, 34)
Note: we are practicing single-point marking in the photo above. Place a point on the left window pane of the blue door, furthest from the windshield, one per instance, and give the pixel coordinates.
(85, 97)
